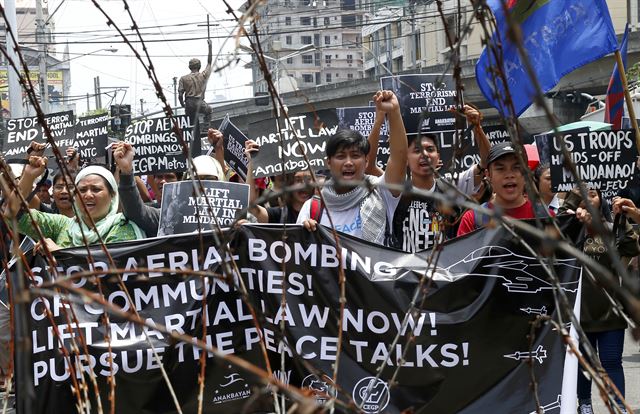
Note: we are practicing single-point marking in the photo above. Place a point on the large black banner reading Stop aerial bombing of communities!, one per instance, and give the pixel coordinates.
(471, 348)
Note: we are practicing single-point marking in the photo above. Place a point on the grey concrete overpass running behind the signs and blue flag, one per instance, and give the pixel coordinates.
(592, 79)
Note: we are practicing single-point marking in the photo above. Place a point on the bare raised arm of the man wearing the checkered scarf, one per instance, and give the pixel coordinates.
(396, 170)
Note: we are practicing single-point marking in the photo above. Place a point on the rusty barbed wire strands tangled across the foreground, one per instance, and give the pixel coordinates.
(76, 295)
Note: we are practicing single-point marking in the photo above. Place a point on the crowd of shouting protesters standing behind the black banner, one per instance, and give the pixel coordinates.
(393, 206)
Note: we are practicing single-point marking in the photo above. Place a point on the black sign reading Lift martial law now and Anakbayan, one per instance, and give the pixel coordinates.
(283, 151)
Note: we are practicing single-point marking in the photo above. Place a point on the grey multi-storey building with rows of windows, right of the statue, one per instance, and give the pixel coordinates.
(309, 43)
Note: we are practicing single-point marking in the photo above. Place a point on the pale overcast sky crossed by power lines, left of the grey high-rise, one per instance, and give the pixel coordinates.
(175, 31)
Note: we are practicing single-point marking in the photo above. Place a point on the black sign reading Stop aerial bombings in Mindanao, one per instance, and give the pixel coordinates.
(158, 149)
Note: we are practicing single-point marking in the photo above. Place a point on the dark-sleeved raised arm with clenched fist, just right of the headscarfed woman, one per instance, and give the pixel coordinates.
(146, 217)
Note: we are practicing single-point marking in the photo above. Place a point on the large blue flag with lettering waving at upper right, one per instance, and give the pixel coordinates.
(559, 36)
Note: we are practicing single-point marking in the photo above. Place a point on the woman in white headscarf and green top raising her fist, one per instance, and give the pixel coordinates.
(97, 189)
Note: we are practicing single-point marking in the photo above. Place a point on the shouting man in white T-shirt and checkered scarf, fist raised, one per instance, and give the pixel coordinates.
(360, 204)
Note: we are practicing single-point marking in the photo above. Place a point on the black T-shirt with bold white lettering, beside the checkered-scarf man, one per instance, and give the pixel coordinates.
(418, 223)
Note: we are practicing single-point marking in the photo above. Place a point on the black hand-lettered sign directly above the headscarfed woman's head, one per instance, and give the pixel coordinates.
(91, 137)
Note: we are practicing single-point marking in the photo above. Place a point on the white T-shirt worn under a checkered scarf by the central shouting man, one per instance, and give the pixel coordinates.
(349, 221)
